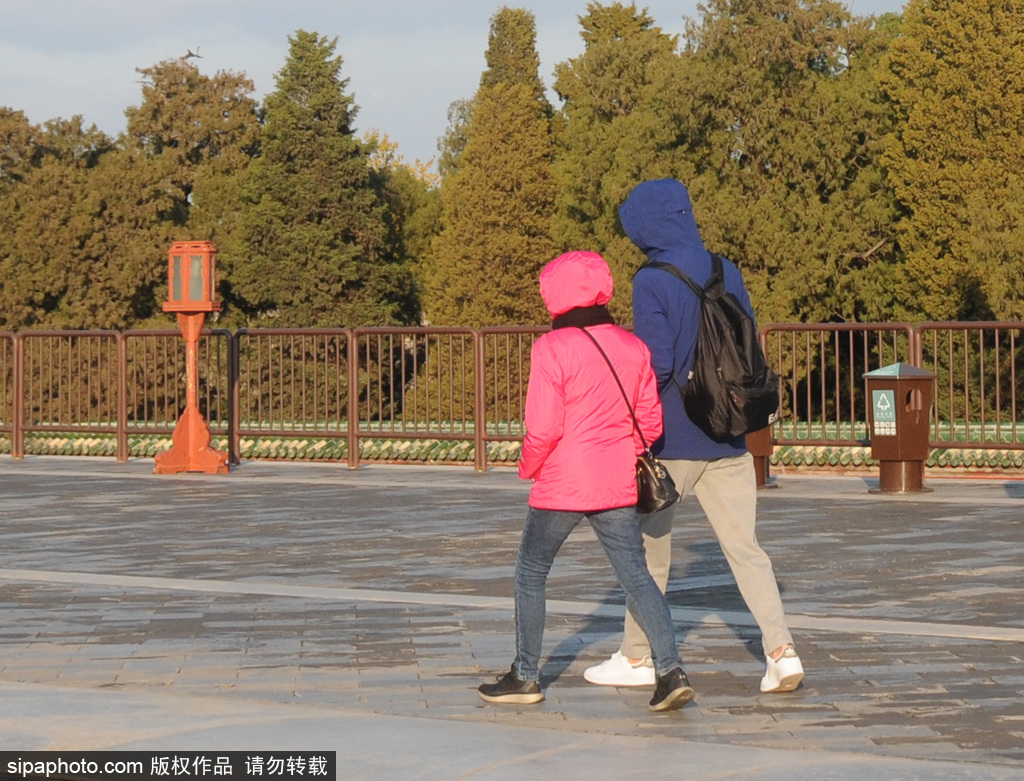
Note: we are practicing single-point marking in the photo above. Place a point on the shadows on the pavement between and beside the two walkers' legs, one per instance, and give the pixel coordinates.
(701, 582)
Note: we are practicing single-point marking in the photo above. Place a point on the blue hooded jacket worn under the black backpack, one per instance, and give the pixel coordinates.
(659, 219)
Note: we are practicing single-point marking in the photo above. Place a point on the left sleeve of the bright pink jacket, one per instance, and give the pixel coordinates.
(545, 411)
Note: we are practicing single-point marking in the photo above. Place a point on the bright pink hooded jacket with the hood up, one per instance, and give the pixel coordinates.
(581, 448)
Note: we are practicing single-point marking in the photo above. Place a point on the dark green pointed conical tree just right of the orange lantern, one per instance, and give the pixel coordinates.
(316, 229)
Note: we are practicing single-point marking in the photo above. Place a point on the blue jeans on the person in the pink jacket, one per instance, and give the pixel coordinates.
(619, 532)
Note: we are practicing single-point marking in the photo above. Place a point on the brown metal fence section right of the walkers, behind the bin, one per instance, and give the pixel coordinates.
(977, 403)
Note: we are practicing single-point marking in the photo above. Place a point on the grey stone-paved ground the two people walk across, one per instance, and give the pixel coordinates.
(305, 606)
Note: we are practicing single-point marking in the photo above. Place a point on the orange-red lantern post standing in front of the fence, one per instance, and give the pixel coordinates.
(191, 268)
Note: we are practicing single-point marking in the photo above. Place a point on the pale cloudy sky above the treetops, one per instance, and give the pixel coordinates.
(406, 61)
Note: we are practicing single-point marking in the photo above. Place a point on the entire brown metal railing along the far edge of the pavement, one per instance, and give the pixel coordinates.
(461, 388)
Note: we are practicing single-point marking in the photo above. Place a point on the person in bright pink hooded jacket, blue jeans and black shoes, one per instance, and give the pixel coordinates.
(581, 451)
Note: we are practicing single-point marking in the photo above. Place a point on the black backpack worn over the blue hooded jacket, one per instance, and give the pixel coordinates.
(731, 390)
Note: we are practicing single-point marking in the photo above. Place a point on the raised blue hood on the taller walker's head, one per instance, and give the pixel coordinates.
(659, 219)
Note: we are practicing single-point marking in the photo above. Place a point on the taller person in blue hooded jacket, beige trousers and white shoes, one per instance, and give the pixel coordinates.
(658, 218)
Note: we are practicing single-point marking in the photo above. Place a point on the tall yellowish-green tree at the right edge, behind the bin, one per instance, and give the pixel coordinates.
(956, 77)
